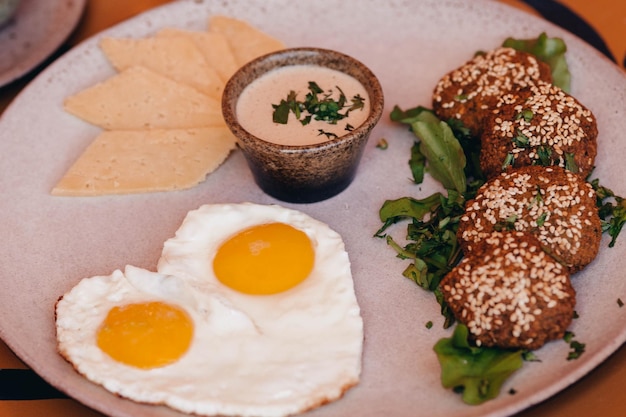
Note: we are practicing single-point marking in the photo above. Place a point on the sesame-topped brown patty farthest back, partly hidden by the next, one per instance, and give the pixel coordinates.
(469, 92)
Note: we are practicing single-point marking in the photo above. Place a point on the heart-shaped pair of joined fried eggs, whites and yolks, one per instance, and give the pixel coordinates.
(257, 307)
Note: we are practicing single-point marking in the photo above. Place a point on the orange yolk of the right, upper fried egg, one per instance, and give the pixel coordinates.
(265, 259)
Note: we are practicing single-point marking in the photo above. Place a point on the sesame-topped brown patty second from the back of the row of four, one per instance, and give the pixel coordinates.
(540, 125)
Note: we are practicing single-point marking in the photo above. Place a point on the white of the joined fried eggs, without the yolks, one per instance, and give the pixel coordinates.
(251, 355)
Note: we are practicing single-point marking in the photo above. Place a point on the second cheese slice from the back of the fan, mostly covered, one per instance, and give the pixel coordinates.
(213, 46)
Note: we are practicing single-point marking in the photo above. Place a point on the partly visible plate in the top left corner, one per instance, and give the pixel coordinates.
(36, 30)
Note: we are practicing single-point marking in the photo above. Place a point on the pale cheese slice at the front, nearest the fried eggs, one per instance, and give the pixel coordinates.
(122, 162)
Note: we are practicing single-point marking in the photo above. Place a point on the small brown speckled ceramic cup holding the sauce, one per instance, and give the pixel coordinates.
(303, 174)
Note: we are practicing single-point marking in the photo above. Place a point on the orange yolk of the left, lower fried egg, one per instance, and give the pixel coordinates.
(146, 335)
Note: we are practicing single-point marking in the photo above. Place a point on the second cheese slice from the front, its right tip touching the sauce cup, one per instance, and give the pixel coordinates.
(139, 98)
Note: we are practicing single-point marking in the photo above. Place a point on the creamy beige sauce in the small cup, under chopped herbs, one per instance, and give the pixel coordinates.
(254, 107)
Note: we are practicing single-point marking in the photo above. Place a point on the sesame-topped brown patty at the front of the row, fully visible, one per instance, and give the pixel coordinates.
(510, 293)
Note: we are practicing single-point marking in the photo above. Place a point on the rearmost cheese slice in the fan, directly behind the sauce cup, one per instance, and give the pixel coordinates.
(246, 41)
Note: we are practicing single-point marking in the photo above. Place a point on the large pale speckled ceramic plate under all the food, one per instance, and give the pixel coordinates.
(48, 244)
